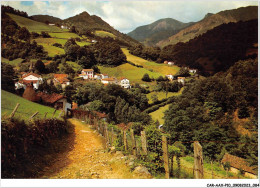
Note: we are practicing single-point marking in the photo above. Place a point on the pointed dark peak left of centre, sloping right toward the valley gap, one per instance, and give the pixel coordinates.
(84, 22)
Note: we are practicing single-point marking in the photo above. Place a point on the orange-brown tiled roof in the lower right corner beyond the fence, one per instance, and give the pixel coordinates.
(238, 163)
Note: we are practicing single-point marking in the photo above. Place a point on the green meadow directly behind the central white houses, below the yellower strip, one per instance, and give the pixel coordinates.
(134, 74)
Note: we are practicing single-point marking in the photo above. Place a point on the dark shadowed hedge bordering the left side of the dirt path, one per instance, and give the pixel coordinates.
(20, 140)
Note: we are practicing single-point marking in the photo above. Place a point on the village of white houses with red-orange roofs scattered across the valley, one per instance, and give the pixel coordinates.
(30, 82)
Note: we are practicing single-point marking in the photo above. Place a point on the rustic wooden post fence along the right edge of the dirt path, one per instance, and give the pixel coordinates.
(131, 143)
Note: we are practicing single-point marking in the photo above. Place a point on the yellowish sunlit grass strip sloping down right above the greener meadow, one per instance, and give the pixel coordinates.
(150, 65)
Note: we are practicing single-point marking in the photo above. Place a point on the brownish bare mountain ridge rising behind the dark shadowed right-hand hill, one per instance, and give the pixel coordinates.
(209, 22)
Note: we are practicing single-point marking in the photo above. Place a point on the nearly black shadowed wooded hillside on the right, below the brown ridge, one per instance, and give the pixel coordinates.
(217, 49)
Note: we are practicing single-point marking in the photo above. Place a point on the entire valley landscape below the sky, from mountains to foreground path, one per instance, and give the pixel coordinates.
(113, 98)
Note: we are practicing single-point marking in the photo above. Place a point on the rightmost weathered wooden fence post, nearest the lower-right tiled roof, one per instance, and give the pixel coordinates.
(198, 161)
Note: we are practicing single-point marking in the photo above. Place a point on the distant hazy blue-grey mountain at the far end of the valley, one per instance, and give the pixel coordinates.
(159, 30)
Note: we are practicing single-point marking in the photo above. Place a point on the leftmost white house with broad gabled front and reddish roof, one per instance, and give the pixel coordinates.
(29, 78)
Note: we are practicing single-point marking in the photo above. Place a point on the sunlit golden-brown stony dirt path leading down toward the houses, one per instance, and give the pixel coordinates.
(87, 159)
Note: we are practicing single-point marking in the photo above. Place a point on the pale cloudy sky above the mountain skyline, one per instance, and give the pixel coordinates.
(126, 15)
